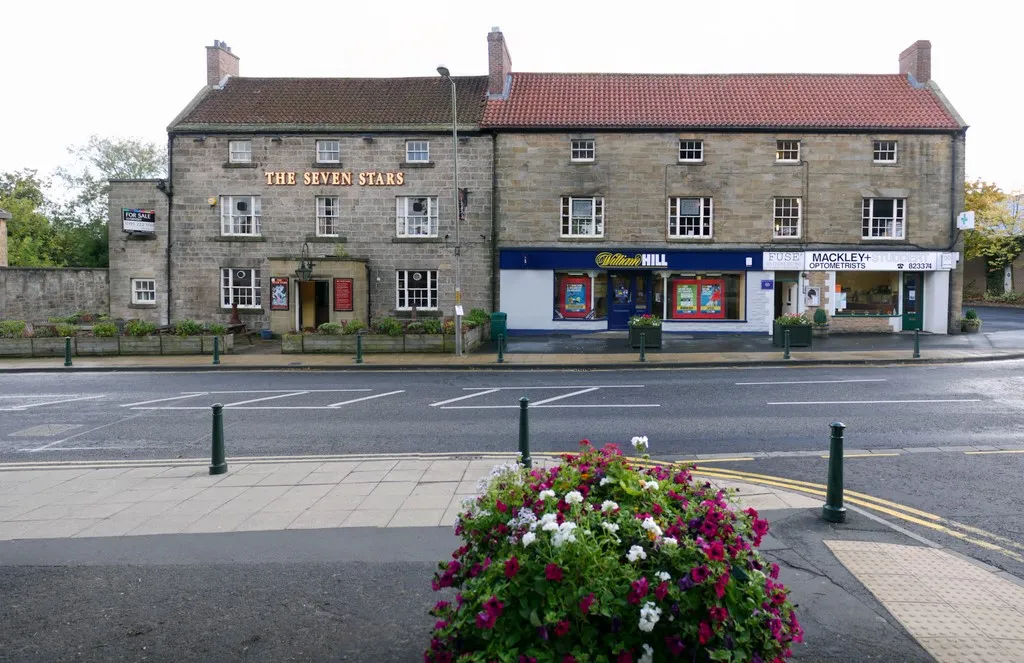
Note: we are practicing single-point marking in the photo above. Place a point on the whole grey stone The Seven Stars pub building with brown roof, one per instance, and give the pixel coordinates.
(266, 176)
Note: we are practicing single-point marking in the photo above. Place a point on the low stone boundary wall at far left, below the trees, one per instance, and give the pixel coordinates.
(38, 294)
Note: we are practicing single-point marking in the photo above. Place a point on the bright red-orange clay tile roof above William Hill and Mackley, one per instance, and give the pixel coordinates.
(738, 101)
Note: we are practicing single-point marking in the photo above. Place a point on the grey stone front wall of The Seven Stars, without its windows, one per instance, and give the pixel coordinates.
(368, 216)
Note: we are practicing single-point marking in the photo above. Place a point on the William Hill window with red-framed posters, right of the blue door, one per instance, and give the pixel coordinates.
(707, 297)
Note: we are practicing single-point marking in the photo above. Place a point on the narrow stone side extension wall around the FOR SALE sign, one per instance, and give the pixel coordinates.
(138, 257)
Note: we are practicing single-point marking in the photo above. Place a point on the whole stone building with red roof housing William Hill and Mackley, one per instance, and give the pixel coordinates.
(719, 202)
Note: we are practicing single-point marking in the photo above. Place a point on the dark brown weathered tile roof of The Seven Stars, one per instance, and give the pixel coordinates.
(373, 102)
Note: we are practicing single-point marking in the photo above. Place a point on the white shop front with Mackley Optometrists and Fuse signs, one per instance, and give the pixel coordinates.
(887, 291)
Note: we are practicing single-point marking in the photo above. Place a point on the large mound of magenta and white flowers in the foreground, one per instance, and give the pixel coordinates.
(602, 561)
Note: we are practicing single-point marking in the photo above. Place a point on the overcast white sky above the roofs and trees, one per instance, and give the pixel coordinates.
(126, 69)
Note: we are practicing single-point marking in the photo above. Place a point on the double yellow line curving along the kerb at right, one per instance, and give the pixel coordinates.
(970, 534)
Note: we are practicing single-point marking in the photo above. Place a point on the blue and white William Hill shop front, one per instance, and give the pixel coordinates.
(588, 291)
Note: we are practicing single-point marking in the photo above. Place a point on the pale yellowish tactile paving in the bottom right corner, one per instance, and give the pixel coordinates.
(960, 612)
